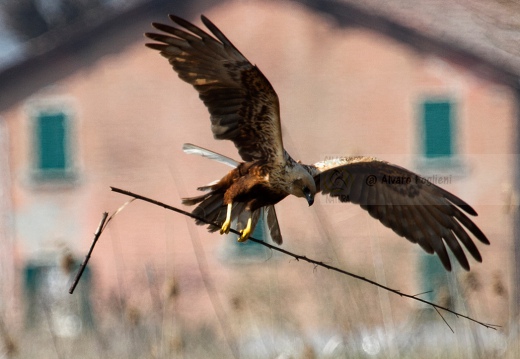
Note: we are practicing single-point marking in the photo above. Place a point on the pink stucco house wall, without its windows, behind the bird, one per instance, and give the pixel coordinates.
(342, 91)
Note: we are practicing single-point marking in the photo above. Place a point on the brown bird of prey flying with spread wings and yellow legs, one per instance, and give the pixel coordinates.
(244, 108)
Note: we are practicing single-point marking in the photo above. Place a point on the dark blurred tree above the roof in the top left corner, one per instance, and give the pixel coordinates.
(31, 18)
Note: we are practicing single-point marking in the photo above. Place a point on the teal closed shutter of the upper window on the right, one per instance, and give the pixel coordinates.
(438, 128)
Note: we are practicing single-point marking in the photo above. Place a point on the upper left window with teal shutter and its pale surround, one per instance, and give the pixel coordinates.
(52, 142)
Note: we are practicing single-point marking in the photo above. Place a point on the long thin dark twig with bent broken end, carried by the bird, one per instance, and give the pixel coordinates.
(298, 257)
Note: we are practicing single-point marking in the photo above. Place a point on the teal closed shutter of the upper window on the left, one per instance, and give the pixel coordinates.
(51, 141)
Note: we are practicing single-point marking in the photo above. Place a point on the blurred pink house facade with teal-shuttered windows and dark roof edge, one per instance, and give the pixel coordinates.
(102, 110)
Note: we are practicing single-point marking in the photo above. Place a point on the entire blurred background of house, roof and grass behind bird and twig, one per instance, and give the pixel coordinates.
(432, 85)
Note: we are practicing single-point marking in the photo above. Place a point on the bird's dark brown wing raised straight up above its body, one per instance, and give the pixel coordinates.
(243, 105)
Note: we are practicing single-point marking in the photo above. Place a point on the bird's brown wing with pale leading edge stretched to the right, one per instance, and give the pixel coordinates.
(407, 203)
